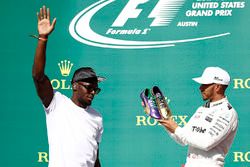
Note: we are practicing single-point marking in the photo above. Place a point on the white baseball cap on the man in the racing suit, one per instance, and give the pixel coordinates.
(213, 75)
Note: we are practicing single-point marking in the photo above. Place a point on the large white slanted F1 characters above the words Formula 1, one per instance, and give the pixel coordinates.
(163, 13)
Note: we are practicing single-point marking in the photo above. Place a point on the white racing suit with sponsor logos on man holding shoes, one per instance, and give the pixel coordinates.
(209, 134)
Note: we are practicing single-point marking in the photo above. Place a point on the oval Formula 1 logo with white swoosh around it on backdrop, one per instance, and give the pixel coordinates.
(140, 24)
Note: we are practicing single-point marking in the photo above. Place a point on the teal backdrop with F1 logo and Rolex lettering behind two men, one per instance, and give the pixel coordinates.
(135, 44)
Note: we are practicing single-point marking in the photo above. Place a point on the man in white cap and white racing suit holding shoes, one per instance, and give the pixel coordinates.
(210, 131)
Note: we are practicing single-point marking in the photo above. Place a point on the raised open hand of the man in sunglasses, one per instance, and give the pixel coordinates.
(44, 26)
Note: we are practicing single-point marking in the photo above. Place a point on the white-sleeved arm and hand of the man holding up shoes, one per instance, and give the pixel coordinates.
(203, 134)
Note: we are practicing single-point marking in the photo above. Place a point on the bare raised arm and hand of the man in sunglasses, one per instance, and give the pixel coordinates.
(43, 86)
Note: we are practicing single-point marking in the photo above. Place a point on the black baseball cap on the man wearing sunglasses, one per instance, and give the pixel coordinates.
(86, 74)
